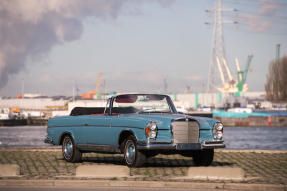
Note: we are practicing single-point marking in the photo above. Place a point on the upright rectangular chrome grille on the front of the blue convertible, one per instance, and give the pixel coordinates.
(185, 132)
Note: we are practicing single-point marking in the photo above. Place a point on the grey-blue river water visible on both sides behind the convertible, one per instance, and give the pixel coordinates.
(265, 138)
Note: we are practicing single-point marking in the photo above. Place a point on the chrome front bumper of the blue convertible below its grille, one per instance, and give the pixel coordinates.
(182, 146)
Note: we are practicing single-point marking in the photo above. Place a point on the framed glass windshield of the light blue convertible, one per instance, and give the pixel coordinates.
(142, 104)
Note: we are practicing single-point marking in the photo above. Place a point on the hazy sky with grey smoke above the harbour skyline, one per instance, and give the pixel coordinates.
(135, 44)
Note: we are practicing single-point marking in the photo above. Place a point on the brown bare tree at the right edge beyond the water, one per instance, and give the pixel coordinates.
(276, 83)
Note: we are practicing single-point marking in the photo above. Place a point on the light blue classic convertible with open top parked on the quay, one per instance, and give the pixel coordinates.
(139, 126)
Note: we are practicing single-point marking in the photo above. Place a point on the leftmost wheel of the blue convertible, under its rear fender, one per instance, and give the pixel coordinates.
(69, 150)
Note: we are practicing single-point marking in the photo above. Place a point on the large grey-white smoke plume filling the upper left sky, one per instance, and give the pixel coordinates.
(31, 28)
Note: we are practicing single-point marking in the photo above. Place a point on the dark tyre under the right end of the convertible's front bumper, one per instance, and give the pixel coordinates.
(203, 157)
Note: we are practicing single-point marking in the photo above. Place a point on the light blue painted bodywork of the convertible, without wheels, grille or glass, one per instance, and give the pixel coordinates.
(105, 130)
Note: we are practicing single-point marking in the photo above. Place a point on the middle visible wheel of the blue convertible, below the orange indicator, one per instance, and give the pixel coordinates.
(133, 157)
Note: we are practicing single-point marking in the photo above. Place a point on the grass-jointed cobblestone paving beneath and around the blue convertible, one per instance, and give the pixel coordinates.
(260, 167)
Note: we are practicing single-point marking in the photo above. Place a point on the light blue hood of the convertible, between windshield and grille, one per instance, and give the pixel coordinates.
(164, 120)
